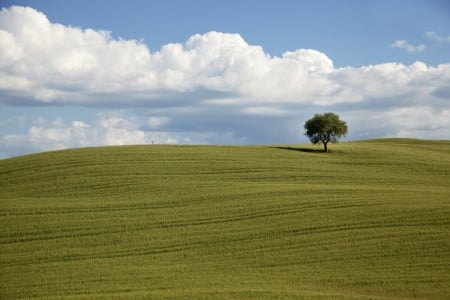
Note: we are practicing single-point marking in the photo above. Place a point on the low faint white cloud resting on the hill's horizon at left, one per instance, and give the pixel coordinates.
(110, 128)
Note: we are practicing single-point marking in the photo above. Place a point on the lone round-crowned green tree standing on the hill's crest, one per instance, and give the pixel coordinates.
(325, 128)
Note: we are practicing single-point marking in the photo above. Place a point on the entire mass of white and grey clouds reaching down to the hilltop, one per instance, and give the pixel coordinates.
(214, 87)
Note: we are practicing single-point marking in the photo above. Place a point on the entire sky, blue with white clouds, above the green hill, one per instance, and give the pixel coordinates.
(87, 73)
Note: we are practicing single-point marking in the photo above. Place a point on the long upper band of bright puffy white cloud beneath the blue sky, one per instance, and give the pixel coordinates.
(46, 63)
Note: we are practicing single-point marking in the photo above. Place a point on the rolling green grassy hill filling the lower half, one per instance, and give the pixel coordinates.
(369, 220)
